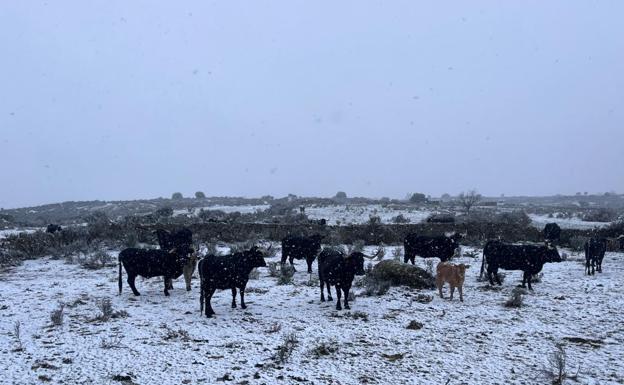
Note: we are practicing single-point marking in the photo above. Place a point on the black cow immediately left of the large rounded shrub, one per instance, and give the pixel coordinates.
(338, 269)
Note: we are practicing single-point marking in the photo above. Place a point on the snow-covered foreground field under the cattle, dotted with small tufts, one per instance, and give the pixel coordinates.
(166, 340)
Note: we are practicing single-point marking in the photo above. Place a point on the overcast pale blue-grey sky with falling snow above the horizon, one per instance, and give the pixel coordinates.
(136, 99)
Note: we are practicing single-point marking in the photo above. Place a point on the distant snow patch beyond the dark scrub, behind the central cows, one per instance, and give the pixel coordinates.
(357, 214)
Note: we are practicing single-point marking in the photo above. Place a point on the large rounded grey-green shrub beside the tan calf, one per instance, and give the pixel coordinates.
(402, 274)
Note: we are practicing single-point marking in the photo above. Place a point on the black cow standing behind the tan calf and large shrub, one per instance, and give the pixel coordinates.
(442, 247)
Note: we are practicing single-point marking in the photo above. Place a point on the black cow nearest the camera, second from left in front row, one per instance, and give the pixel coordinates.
(227, 272)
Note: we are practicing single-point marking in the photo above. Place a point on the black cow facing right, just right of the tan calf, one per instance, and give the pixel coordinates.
(528, 258)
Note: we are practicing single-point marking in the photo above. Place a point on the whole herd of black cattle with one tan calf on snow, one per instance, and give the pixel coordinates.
(336, 268)
